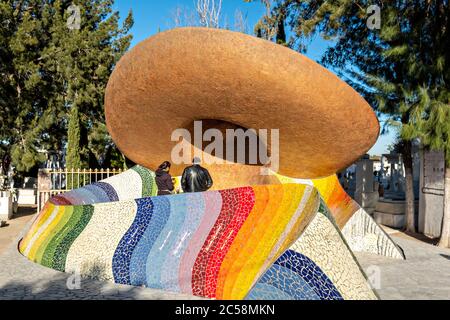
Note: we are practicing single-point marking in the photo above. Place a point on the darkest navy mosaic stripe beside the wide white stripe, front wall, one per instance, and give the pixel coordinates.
(122, 255)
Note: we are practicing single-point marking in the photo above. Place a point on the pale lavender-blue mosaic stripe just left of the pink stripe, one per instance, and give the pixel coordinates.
(195, 207)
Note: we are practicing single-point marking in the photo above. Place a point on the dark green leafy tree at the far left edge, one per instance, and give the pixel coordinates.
(23, 104)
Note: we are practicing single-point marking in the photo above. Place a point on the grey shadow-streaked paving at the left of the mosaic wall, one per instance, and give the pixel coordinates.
(20, 279)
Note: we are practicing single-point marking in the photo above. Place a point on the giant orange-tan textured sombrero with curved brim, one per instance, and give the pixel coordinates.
(176, 77)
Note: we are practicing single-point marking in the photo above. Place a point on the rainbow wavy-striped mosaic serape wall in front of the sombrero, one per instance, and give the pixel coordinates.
(240, 243)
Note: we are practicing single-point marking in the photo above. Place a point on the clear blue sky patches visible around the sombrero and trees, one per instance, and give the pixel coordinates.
(153, 15)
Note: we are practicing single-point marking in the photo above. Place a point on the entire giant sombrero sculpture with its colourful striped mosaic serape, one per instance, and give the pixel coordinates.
(247, 239)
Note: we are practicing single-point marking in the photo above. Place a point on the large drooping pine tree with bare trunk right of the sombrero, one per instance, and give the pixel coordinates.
(391, 66)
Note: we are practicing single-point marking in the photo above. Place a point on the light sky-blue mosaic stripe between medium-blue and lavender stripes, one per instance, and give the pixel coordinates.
(168, 236)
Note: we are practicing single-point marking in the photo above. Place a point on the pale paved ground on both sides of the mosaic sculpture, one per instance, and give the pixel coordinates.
(424, 275)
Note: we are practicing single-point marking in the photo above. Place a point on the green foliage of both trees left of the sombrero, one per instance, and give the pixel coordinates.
(47, 70)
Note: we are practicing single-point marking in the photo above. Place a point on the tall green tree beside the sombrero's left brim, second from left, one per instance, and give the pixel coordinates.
(85, 58)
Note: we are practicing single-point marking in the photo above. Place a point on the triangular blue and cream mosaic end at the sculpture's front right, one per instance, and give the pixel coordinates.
(321, 264)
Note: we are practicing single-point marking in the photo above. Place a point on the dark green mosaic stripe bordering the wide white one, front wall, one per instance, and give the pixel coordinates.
(82, 215)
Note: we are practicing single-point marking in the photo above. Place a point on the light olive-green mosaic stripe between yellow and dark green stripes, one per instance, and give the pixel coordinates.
(65, 225)
